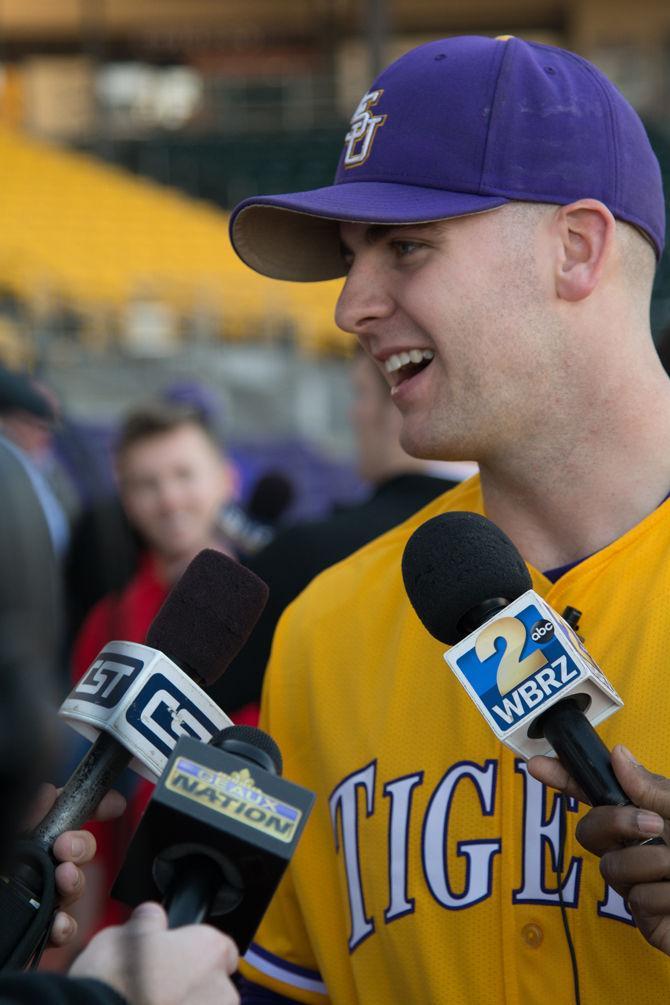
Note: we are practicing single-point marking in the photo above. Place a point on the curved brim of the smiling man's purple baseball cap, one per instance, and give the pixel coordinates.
(297, 237)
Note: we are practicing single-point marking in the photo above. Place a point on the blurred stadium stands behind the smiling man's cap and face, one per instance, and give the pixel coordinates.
(127, 132)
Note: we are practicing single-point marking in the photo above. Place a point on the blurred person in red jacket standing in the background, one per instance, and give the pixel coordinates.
(173, 481)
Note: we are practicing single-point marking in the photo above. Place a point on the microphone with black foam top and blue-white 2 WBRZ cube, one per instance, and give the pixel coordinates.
(523, 665)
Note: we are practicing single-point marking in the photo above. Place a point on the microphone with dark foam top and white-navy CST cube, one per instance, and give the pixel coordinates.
(139, 700)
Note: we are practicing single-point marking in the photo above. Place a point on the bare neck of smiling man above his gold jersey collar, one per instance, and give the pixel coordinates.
(584, 493)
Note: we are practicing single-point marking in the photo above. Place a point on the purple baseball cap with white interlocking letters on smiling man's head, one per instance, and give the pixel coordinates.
(459, 127)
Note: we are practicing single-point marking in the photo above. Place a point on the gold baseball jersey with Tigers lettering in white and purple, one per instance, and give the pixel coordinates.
(427, 873)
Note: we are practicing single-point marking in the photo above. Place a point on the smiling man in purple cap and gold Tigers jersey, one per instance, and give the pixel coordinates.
(498, 214)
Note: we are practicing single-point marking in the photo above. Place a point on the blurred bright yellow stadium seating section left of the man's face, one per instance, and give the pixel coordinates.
(94, 234)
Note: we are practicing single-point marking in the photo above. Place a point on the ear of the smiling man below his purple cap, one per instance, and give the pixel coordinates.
(585, 233)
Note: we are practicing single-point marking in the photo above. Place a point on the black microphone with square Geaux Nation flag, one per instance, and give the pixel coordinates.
(217, 835)
